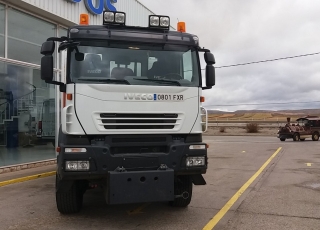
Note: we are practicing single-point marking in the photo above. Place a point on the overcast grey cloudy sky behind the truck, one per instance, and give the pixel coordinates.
(255, 30)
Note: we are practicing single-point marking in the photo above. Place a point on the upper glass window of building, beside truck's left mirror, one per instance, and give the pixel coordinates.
(26, 35)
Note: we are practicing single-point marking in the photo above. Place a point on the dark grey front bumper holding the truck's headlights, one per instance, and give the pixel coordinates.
(103, 160)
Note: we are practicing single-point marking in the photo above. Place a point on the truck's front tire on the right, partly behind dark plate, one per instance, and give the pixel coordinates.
(182, 186)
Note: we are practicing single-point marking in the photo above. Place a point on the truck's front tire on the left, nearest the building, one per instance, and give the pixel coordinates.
(70, 201)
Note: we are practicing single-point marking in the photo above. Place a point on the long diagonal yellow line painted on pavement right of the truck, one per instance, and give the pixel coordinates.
(214, 221)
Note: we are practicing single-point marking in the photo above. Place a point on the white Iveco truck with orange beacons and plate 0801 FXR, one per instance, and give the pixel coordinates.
(132, 117)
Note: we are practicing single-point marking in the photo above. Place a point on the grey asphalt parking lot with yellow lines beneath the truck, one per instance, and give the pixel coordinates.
(252, 183)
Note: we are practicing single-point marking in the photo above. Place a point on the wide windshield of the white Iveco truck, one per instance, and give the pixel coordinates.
(159, 65)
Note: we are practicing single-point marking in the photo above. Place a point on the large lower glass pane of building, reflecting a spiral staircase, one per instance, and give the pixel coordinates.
(27, 116)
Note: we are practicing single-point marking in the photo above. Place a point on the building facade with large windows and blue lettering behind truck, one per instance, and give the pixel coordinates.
(29, 108)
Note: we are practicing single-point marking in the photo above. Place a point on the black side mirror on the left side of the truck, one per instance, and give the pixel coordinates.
(47, 50)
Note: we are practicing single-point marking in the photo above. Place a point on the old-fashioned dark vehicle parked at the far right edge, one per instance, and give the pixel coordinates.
(306, 127)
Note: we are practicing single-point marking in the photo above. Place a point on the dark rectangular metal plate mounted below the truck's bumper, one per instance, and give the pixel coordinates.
(140, 186)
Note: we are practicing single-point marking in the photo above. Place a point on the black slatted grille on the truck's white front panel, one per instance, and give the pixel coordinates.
(139, 120)
